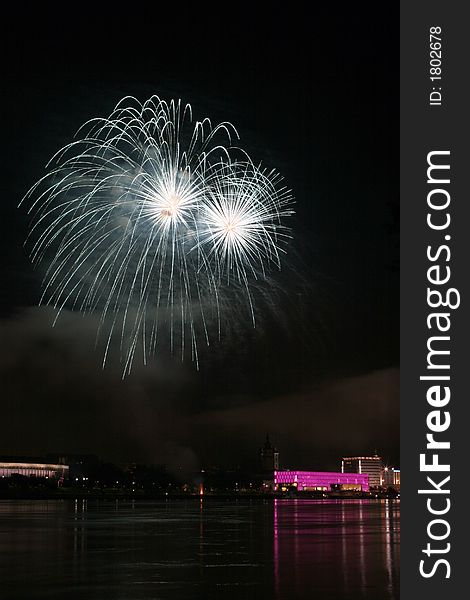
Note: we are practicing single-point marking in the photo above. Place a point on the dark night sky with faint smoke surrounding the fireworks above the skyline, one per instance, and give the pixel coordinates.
(316, 98)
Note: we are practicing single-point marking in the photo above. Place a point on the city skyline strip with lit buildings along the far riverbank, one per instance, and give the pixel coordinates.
(263, 474)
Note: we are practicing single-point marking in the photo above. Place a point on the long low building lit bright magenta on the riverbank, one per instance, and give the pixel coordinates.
(320, 481)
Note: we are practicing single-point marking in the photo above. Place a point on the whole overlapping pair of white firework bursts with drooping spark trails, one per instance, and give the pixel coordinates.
(148, 218)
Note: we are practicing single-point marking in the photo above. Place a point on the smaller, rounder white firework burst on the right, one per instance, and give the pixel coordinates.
(242, 227)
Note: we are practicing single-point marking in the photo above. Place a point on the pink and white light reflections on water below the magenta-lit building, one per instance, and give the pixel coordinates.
(336, 549)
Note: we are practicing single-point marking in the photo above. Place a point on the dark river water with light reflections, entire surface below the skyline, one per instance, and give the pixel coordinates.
(200, 549)
